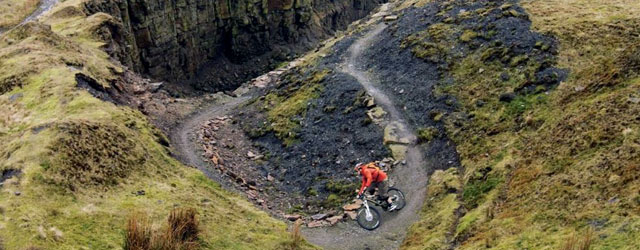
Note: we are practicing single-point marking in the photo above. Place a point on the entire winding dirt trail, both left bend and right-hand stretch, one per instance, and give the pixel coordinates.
(411, 178)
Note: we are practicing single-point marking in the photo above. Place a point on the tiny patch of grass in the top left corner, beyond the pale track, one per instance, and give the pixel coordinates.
(12, 12)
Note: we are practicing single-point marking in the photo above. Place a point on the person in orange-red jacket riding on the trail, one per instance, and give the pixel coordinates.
(373, 177)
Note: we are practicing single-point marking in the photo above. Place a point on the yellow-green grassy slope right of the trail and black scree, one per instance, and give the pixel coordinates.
(554, 168)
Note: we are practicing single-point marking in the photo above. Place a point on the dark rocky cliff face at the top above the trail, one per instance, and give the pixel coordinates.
(220, 43)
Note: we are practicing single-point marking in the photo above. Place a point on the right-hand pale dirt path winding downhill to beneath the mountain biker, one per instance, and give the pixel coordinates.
(411, 178)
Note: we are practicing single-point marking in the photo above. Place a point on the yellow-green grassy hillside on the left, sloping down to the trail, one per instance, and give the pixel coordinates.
(87, 165)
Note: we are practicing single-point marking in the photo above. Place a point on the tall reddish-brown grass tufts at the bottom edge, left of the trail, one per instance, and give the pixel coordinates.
(180, 233)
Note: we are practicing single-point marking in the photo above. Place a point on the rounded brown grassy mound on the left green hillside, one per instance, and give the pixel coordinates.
(94, 153)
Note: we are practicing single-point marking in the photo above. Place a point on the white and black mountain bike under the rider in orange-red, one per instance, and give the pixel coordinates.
(368, 216)
